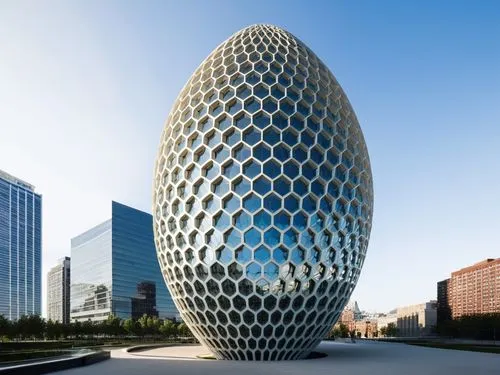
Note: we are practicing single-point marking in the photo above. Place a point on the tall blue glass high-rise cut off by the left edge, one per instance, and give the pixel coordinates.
(20, 248)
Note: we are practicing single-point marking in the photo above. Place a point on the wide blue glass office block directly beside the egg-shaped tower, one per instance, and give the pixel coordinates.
(114, 270)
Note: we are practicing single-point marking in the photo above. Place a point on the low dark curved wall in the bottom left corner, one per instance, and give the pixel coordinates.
(55, 364)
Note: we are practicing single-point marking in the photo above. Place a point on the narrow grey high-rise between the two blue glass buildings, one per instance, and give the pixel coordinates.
(58, 291)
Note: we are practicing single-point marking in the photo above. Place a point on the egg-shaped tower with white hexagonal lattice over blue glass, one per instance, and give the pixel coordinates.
(262, 198)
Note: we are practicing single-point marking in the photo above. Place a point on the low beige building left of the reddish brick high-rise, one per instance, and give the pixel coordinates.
(417, 320)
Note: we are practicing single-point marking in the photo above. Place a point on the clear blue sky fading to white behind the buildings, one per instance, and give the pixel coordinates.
(85, 88)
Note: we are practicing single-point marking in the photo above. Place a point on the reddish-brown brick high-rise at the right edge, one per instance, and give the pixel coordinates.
(471, 290)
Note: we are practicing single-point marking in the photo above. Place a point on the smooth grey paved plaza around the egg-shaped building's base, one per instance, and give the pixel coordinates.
(364, 357)
